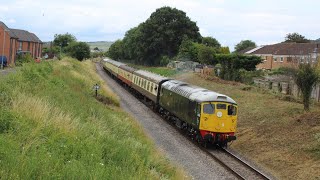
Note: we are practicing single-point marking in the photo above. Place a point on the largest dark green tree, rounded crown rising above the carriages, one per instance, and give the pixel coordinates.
(160, 35)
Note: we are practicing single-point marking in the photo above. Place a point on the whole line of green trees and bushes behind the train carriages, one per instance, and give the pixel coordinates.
(169, 34)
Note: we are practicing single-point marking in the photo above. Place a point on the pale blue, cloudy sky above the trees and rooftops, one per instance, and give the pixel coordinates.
(229, 21)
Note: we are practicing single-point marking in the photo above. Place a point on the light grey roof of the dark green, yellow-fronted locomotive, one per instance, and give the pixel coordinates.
(195, 93)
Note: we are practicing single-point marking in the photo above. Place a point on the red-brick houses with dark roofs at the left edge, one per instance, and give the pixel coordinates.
(17, 41)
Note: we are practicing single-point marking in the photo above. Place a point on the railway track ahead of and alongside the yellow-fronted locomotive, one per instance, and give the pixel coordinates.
(232, 163)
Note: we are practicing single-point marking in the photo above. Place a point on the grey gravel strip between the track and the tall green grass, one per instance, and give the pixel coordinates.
(177, 148)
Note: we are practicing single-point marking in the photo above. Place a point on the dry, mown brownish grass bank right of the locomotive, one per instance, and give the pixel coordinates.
(274, 133)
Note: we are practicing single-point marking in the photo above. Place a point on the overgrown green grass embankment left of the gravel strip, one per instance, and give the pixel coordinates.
(51, 126)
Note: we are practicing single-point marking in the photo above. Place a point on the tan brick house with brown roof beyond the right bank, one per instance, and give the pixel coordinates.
(286, 54)
